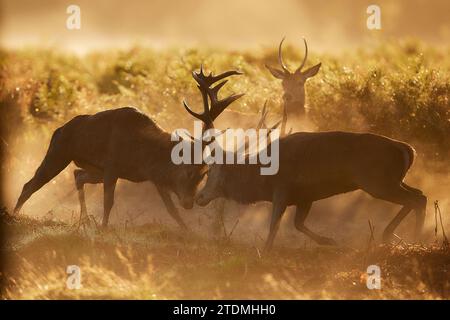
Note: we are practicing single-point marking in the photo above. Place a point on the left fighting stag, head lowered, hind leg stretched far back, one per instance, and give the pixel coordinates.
(116, 144)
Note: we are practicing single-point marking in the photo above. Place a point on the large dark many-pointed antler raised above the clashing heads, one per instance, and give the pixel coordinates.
(211, 112)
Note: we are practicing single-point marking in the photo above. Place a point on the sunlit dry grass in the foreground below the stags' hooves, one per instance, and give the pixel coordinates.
(156, 262)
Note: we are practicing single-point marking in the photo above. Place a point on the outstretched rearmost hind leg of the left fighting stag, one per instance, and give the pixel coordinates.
(54, 162)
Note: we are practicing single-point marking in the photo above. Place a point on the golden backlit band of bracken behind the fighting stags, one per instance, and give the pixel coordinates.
(399, 89)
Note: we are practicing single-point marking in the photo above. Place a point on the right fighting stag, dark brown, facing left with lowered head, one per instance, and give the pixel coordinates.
(314, 166)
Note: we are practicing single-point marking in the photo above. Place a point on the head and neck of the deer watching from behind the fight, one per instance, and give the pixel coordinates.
(294, 83)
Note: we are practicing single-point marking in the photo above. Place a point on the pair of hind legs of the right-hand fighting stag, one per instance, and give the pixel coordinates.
(410, 198)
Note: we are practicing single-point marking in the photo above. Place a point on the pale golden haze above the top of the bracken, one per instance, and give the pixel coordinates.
(328, 24)
